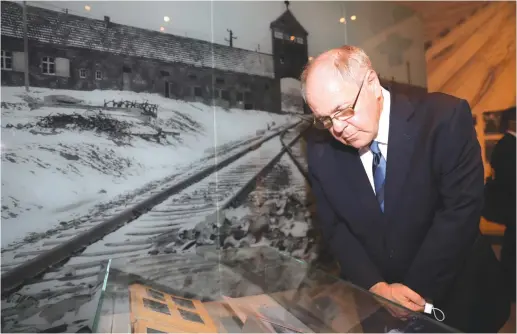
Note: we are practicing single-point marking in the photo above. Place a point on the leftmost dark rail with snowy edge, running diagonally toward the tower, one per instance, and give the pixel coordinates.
(119, 212)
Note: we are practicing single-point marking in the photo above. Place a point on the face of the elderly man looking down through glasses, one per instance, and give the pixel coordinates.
(328, 93)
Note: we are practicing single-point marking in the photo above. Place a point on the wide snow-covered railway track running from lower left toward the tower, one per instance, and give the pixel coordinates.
(176, 221)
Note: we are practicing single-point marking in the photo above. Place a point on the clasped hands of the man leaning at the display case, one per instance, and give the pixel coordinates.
(399, 294)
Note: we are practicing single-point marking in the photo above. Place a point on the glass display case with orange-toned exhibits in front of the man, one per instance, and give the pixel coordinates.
(245, 290)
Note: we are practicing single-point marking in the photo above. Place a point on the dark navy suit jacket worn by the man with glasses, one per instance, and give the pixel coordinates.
(433, 200)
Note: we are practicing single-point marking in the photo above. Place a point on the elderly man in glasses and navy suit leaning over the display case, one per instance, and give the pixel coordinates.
(399, 191)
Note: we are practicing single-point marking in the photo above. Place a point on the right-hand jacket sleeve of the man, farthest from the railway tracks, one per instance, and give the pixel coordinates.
(455, 224)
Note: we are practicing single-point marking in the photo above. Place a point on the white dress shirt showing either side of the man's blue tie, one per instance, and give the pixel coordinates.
(382, 138)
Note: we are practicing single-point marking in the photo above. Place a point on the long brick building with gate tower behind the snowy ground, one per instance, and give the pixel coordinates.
(73, 52)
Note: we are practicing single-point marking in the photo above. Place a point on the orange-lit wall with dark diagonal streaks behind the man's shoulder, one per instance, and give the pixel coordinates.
(476, 61)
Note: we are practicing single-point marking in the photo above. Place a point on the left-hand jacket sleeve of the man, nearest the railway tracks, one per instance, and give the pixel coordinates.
(355, 263)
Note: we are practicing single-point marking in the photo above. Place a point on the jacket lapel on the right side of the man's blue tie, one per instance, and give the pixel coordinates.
(401, 144)
